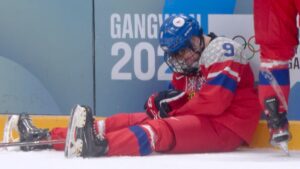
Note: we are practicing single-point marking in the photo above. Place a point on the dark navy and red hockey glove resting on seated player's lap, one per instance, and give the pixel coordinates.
(159, 105)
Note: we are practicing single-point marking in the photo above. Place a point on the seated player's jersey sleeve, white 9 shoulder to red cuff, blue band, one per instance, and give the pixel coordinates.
(223, 69)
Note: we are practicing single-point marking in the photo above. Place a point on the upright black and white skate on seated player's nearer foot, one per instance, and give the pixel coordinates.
(82, 139)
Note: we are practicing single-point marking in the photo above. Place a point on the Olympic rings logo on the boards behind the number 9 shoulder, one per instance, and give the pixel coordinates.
(249, 46)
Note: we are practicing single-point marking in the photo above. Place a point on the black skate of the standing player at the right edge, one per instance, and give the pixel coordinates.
(278, 125)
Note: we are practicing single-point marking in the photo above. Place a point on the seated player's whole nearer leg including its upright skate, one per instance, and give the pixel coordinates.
(182, 134)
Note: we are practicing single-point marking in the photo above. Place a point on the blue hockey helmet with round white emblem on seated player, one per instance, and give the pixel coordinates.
(177, 31)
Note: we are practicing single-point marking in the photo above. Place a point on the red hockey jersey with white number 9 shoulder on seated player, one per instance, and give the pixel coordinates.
(223, 89)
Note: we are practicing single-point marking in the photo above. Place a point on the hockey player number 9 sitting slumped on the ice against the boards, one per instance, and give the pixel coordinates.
(212, 106)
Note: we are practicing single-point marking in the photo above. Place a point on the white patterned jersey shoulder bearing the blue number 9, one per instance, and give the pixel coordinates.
(221, 49)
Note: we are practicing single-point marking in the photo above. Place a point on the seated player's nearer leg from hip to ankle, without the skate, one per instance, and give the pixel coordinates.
(182, 134)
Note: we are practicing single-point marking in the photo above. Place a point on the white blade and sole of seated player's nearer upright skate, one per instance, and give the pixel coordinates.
(73, 147)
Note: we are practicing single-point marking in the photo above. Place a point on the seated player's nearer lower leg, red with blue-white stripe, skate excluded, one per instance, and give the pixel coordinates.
(143, 139)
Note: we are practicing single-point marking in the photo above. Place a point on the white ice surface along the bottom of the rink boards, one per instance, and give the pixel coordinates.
(241, 159)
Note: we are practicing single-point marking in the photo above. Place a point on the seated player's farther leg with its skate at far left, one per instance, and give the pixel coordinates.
(28, 132)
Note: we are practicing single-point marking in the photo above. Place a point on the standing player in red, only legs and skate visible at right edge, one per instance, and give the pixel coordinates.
(276, 32)
